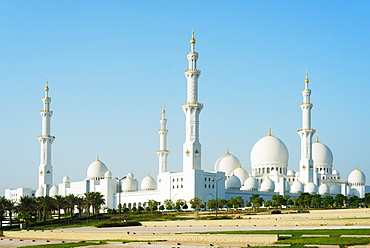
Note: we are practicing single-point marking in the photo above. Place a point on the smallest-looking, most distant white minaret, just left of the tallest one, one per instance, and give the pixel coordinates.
(163, 152)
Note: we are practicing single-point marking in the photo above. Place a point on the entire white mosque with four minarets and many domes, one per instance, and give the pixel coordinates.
(269, 174)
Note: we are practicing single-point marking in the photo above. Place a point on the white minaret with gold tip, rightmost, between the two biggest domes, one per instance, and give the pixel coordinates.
(306, 134)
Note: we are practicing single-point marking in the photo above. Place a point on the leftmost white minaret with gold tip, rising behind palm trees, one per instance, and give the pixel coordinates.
(45, 168)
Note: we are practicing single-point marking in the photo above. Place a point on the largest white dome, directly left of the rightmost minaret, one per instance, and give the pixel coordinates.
(269, 151)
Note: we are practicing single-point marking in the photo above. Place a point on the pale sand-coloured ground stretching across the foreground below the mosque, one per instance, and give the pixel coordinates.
(316, 219)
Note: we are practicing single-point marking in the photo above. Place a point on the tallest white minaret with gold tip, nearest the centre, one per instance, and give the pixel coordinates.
(192, 146)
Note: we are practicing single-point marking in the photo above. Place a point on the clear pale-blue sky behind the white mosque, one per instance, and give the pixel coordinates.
(111, 65)
